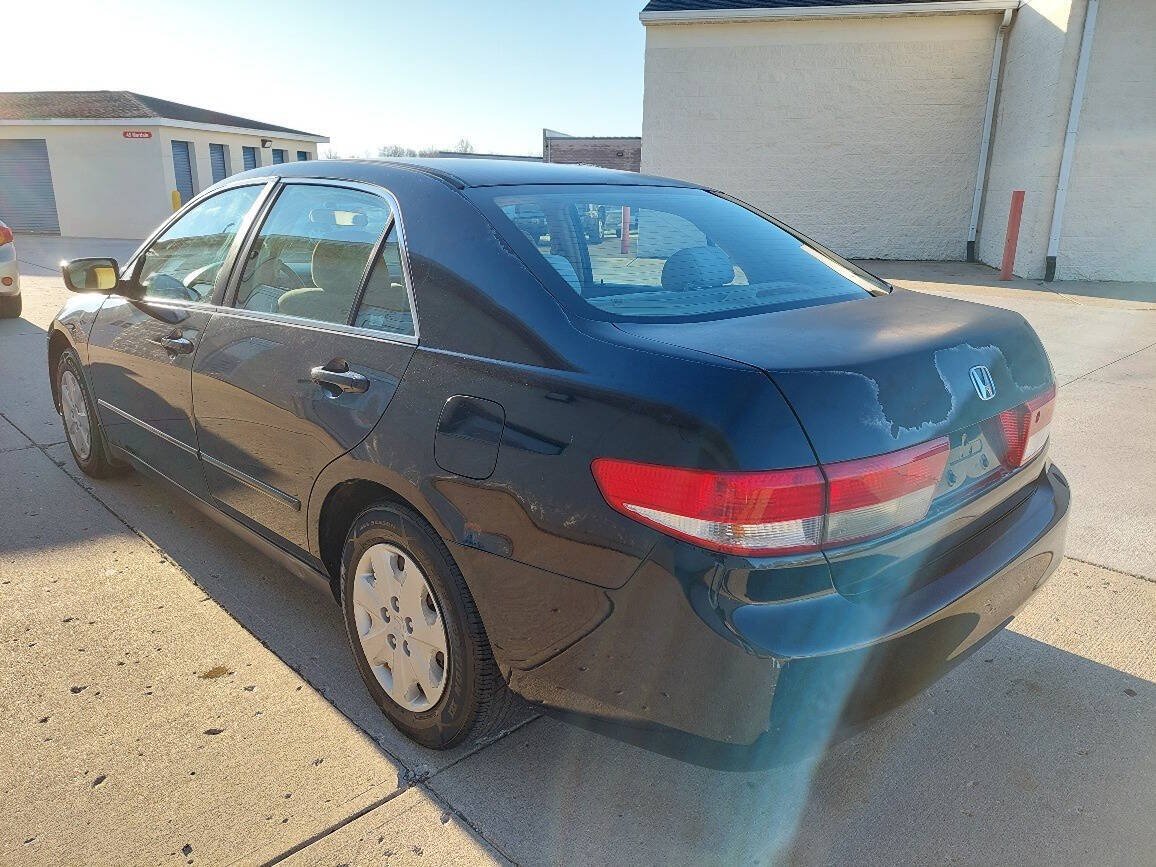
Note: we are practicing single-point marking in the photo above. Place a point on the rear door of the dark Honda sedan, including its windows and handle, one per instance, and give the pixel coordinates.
(303, 362)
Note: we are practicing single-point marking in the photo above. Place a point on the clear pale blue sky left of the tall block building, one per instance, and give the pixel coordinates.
(361, 72)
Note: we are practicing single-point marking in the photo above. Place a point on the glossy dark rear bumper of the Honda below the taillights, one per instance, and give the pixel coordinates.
(665, 662)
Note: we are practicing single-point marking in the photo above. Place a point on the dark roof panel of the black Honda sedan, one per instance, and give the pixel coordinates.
(463, 173)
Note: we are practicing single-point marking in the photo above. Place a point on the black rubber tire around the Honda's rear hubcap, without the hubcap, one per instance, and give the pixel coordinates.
(477, 700)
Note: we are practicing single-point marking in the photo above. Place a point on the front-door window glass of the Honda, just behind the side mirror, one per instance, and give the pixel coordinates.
(184, 264)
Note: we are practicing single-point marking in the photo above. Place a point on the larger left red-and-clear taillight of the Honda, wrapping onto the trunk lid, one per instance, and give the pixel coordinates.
(783, 512)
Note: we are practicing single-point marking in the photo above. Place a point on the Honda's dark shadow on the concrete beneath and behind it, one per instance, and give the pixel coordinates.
(1025, 753)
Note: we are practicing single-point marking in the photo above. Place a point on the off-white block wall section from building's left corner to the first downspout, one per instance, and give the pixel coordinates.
(863, 134)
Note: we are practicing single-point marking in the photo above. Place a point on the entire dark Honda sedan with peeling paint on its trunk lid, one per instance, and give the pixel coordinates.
(696, 476)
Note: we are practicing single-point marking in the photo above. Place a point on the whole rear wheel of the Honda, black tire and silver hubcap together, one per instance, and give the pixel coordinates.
(416, 633)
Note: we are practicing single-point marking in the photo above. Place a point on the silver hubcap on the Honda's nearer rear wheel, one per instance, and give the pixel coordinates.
(401, 627)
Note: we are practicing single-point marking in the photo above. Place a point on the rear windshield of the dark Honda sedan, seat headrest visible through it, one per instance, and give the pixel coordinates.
(671, 254)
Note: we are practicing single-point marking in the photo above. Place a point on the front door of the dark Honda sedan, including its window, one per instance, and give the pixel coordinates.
(143, 343)
